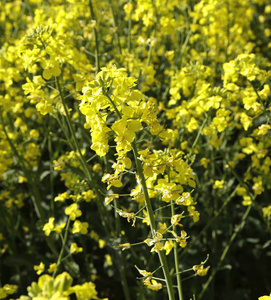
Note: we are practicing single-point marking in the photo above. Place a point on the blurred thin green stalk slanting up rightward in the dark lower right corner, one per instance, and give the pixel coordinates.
(237, 230)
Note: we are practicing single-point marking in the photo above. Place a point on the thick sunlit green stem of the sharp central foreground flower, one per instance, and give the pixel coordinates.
(161, 254)
